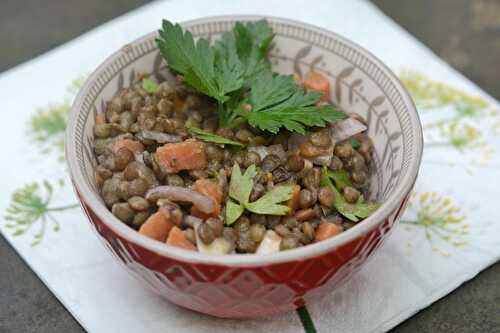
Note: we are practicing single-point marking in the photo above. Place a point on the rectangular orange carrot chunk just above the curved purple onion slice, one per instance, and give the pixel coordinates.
(175, 157)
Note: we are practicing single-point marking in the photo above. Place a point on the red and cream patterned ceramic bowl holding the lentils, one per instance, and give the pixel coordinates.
(250, 285)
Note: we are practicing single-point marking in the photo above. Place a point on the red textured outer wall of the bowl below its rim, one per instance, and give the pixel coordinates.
(244, 292)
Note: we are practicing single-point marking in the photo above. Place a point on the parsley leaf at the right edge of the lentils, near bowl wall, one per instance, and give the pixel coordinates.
(353, 212)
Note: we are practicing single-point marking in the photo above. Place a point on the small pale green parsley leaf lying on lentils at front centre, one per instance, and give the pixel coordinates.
(240, 188)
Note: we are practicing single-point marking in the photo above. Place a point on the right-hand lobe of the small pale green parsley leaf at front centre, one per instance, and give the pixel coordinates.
(268, 203)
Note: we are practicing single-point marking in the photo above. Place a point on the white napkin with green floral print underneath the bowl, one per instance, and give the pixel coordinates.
(446, 237)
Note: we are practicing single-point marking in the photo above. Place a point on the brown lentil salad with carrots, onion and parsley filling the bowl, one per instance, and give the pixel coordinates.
(230, 157)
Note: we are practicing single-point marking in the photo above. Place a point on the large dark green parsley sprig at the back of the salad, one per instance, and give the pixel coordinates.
(235, 72)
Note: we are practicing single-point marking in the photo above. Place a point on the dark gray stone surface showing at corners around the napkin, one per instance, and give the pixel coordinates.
(463, 32)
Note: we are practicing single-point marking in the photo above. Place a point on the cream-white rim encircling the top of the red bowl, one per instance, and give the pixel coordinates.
(402, 189)
